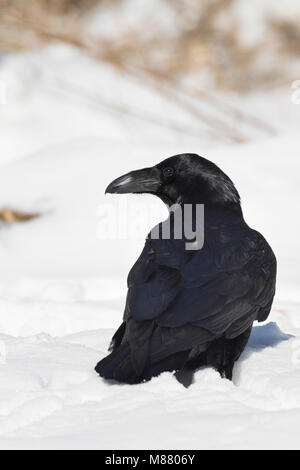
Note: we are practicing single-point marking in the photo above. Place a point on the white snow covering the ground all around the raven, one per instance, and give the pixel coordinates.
(62, 289)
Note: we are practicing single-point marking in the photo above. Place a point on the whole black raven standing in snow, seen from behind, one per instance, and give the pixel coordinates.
(185, 308)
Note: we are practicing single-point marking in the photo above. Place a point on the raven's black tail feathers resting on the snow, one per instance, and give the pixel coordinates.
(164, 350)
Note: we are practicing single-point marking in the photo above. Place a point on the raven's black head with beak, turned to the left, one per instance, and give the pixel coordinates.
(183, 179)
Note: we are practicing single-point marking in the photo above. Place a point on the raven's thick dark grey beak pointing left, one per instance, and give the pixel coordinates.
(140, 181)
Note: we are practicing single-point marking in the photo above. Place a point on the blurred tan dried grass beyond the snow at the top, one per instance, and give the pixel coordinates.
(206, 46)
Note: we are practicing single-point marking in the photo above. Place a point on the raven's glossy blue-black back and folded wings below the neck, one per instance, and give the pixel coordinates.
(178, 300)
